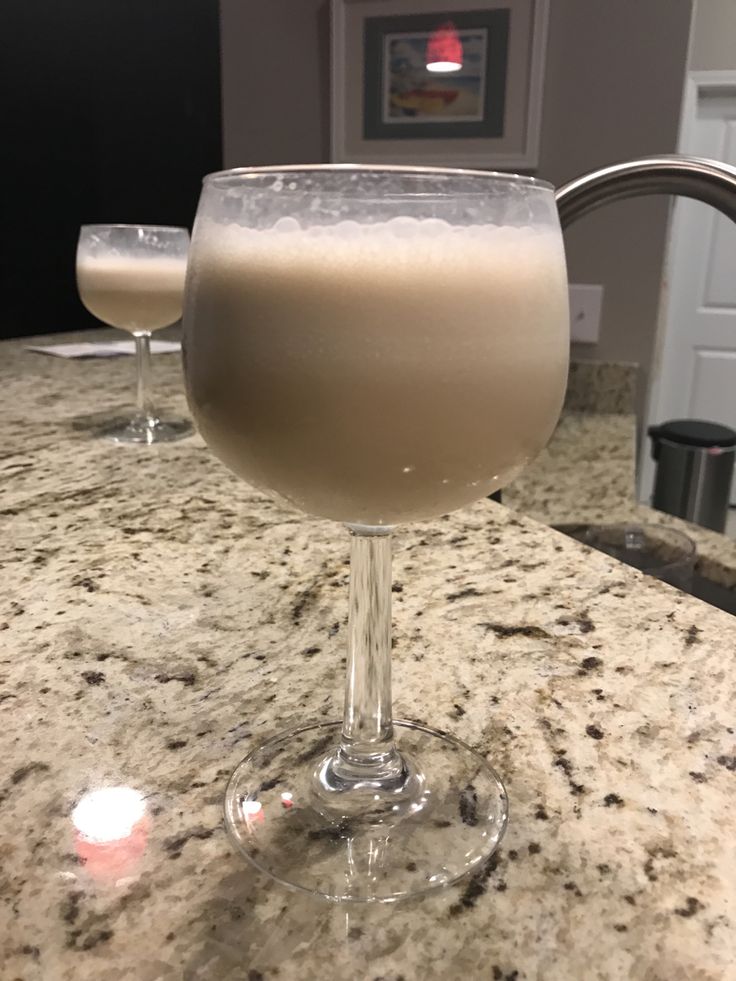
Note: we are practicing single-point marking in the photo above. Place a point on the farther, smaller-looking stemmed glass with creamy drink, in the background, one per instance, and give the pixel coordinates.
(132, 277)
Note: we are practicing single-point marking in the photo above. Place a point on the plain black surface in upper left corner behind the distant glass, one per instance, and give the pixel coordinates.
(111, 112)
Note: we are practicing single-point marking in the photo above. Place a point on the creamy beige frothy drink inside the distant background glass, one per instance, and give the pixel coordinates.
(131, 292)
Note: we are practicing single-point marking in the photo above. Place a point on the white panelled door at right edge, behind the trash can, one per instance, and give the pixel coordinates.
(697, 366)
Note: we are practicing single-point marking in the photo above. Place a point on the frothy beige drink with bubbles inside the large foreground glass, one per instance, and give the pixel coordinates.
(376, 373)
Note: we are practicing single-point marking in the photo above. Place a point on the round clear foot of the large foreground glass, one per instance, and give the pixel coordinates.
(271, 817)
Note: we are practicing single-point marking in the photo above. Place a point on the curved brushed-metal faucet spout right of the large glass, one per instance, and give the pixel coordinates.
(705, 180)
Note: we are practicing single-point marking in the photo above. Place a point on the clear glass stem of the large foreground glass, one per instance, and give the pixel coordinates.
(367, 732)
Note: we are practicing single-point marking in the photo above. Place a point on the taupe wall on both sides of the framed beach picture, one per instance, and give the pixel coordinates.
(613, 87)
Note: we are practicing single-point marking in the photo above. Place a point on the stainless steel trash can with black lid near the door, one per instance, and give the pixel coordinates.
(694, 470)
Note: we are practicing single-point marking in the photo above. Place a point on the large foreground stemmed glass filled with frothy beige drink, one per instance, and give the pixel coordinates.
(375, 346)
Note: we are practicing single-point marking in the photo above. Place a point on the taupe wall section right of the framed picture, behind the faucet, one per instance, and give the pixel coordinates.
(613, 90)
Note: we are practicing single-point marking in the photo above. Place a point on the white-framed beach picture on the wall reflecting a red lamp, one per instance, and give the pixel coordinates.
(452, 82)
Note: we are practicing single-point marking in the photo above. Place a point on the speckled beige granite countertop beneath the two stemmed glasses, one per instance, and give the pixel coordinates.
(159, 616)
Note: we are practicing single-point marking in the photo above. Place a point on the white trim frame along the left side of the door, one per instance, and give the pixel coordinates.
(697, 83)
